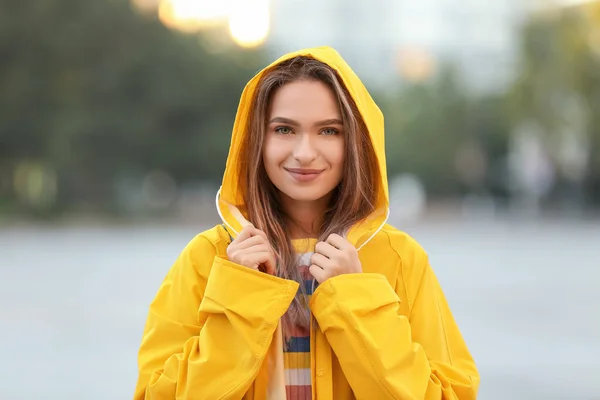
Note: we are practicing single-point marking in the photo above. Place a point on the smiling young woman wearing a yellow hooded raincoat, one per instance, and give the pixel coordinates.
(304, 291)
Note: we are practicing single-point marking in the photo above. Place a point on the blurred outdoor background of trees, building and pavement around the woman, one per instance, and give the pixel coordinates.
(115, 120)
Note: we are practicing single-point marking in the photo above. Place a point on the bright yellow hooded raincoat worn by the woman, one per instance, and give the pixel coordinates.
(387, 333)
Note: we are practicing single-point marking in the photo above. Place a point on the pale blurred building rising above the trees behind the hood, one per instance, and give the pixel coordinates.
(395, 40)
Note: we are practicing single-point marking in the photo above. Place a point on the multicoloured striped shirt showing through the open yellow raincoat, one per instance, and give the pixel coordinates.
(297, 349)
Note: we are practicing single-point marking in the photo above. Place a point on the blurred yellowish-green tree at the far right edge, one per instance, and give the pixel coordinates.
(558, 87)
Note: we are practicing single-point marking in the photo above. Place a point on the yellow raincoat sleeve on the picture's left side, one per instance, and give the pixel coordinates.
(207, 334)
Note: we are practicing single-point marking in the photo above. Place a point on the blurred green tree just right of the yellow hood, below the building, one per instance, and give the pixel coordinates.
(429, 124)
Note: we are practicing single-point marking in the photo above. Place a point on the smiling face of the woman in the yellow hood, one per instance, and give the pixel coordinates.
(304, 144)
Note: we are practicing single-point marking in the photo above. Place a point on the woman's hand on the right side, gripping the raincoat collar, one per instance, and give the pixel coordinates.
(334, 257)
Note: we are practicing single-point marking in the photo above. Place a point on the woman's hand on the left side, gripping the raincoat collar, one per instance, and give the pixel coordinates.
(252, 249)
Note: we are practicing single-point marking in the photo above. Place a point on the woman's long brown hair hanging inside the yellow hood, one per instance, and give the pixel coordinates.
(354, 198)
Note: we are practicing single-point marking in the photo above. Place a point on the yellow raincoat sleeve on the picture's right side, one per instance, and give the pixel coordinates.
(384, 354)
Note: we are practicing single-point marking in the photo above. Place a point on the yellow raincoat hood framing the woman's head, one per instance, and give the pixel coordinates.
(229, 199)
